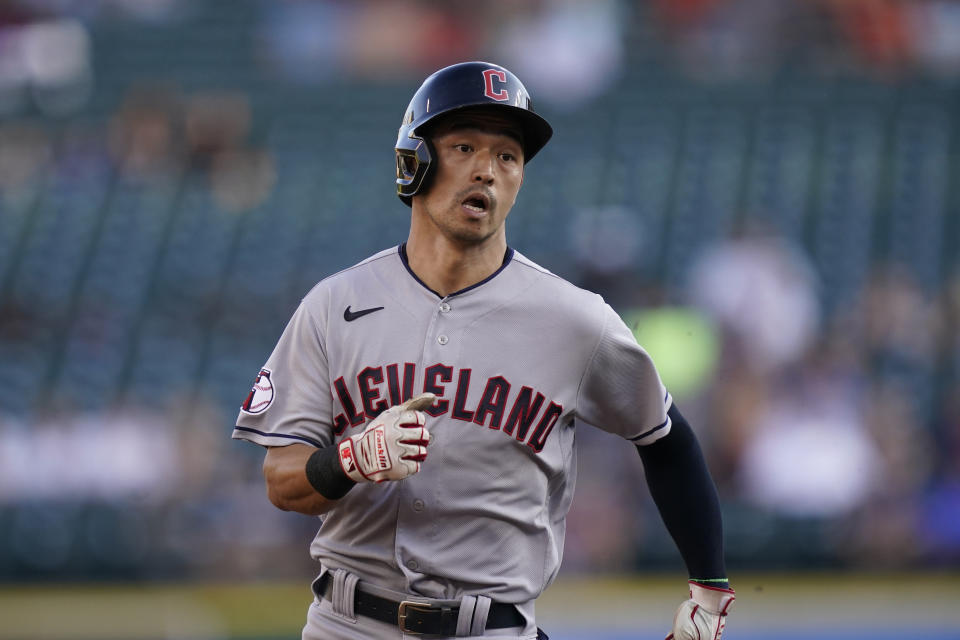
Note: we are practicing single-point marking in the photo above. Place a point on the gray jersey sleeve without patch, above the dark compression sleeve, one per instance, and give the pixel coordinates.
(621, 391)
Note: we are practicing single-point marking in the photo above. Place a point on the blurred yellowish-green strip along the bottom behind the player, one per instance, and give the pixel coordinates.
(808, 604)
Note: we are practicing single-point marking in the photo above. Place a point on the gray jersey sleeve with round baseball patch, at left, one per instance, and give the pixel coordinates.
(290, 400)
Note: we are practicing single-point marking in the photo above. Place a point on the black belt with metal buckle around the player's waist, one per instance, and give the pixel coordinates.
(419, 617)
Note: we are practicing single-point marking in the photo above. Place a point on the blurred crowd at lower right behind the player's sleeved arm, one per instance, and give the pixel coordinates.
(842, 423)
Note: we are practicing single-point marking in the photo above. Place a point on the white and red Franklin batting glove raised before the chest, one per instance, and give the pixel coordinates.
(392, 446)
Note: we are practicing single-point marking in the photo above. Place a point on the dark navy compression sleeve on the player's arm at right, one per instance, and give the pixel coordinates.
(687, 499)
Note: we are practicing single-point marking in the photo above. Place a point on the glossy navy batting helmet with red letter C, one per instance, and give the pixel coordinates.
(468, 84)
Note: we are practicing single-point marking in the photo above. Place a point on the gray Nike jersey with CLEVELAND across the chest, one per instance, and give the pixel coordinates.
(516, 361)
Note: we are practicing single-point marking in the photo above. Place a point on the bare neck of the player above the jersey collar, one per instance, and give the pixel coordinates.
(447, 268)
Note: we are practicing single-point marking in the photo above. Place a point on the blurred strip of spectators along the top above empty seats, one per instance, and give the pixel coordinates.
(46, 48)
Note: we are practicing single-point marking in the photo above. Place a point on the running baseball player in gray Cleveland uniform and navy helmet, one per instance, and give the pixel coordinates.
(424, 402)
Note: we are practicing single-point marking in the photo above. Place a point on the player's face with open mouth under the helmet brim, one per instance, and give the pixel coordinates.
(479, 169)
